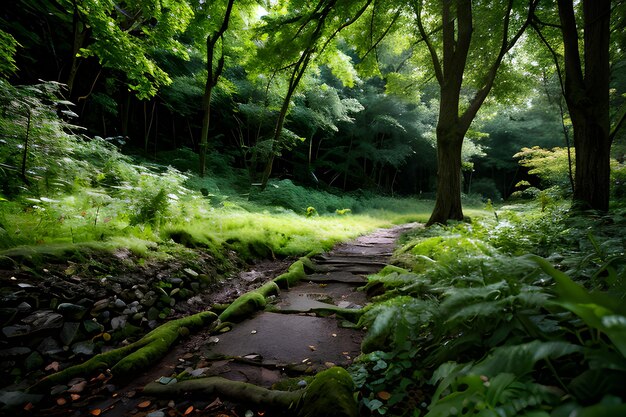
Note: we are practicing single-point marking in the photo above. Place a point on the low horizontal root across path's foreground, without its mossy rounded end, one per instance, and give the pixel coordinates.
(242, 392)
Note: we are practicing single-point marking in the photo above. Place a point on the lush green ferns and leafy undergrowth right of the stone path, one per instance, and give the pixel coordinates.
(472, 325)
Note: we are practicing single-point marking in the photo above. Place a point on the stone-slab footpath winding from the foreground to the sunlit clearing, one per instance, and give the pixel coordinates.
(270, 346)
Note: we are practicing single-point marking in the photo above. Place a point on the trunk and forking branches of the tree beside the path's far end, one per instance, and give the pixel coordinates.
(457, 31)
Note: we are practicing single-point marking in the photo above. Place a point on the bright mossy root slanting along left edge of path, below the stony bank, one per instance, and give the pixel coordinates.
(127, 360)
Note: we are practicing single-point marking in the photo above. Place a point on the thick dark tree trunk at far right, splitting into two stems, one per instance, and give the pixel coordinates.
(587, 98)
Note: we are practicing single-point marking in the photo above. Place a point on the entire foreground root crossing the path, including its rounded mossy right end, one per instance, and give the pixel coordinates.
(329, 394)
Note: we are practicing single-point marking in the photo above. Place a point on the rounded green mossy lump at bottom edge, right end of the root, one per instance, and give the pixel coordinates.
(330, 394)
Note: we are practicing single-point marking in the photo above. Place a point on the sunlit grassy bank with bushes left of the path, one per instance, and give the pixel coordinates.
(61, 188)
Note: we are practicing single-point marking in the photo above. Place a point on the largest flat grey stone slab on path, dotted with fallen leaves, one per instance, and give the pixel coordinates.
(289, 339)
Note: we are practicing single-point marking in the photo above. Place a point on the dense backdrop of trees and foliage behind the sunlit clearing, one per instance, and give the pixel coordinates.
(360, 116)
